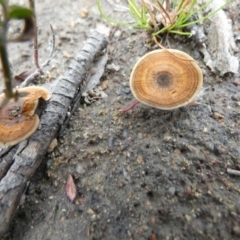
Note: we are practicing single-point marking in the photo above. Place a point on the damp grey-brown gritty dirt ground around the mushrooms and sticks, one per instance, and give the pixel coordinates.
(146, 175)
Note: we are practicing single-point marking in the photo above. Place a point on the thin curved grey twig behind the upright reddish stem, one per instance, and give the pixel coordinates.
(37, 73)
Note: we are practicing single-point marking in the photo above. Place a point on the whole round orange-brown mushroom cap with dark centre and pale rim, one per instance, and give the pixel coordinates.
(166, 79)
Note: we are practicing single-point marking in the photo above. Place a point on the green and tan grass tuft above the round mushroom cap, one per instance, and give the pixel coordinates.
(162, 16)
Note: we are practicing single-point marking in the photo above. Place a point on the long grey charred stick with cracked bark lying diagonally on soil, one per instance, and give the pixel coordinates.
(25, 161)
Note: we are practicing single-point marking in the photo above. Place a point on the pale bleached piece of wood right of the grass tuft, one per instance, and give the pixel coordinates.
(219, 56)
